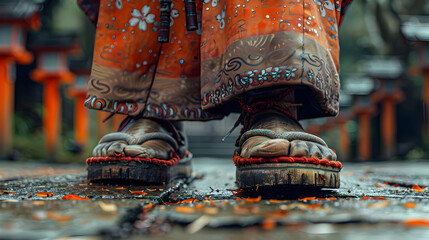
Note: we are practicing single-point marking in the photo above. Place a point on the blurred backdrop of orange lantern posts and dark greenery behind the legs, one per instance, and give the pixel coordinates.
(45, 60)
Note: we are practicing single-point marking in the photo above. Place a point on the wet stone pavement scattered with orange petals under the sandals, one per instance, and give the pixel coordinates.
(385, 200)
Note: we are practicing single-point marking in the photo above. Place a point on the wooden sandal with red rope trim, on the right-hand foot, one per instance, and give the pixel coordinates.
(285, 170)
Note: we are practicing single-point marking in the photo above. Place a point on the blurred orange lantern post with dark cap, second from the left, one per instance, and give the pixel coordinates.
(52, 71)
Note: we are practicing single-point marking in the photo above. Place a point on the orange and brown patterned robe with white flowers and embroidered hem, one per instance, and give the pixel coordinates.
(241, 46)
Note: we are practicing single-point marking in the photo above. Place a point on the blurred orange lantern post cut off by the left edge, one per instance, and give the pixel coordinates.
(12, 49)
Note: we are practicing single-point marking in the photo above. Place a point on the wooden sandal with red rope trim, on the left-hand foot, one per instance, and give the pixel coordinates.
(140, 170)
